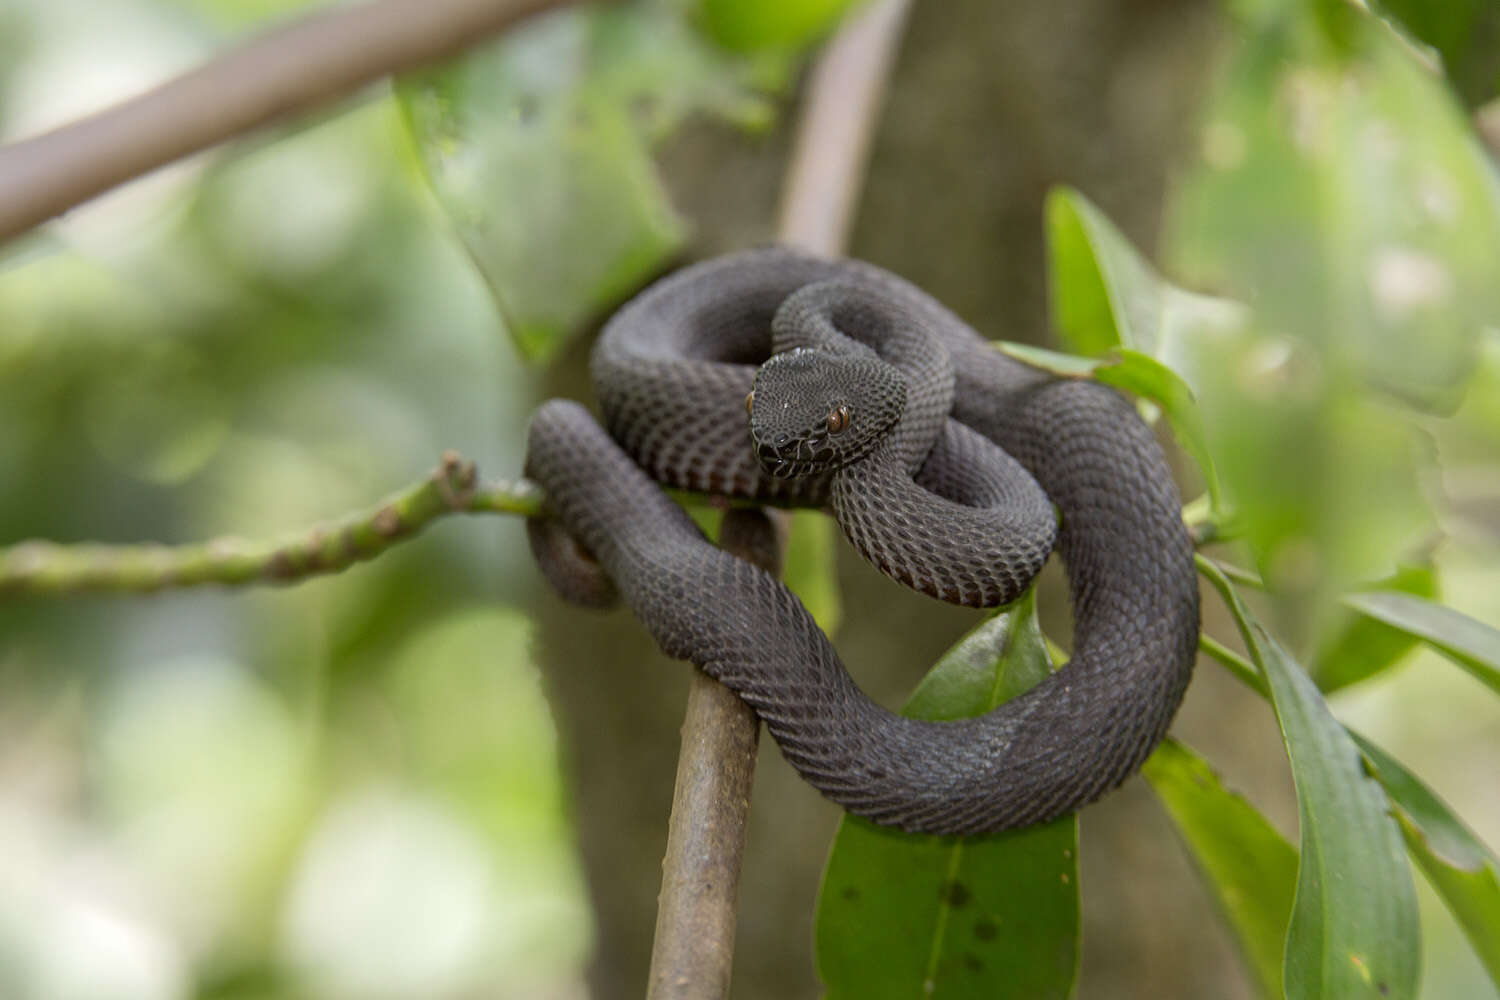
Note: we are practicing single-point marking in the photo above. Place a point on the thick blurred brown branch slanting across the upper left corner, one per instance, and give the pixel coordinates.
(287, 71)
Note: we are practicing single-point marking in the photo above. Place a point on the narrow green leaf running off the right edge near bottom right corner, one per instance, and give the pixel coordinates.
(1457, 863)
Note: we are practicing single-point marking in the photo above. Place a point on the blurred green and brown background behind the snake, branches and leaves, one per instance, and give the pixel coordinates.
(427, 777)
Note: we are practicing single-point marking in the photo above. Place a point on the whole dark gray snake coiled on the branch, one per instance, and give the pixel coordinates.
(943, 461)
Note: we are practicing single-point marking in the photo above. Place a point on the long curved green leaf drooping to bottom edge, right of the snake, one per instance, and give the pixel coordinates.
(1354, 926)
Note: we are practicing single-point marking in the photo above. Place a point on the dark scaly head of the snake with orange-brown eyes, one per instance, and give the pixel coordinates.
(814, 412)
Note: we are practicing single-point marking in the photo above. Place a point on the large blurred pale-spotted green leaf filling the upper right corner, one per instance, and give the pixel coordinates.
(1345, 197)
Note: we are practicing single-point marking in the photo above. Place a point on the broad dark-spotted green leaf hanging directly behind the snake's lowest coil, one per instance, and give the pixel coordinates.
(904, 915)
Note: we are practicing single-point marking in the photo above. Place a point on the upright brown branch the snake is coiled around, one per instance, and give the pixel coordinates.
(695, 930)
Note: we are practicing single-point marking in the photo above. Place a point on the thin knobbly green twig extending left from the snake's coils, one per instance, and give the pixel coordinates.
(44, 567)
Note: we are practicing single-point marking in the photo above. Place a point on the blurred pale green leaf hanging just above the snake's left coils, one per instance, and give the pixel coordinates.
(541, 152)
